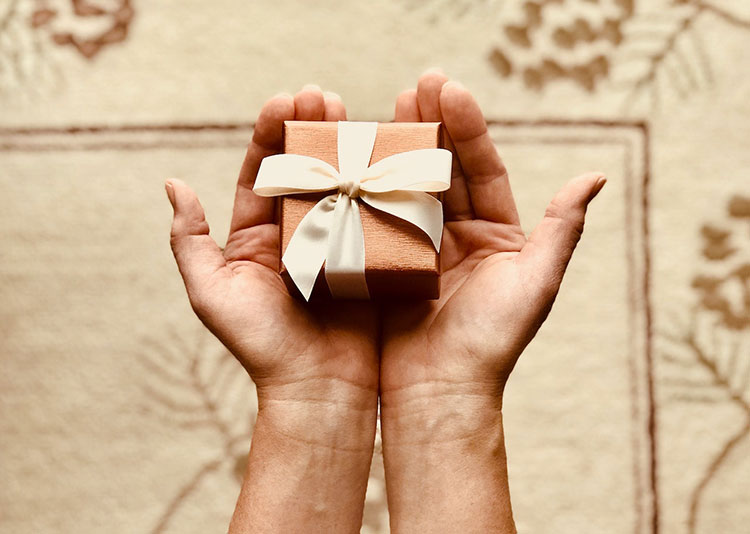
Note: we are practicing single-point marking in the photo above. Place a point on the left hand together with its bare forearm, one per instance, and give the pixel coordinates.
(315, 365)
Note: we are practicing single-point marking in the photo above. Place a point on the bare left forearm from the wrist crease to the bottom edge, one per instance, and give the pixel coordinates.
(309, 463)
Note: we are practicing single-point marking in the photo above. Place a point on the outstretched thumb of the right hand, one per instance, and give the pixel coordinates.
(551, 244)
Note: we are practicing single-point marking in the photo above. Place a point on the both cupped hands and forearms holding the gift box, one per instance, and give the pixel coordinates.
(440, 366)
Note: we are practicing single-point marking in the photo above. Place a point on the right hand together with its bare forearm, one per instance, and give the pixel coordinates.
(444, 363)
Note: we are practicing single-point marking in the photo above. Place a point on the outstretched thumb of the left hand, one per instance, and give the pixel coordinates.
(198, 256)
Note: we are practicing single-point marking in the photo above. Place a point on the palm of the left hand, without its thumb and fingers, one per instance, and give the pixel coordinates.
(290, 338)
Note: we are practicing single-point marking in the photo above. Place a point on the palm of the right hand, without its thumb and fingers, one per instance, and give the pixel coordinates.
(481, 289)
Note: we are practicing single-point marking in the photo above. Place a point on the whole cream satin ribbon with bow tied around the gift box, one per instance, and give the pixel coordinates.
(331, 231)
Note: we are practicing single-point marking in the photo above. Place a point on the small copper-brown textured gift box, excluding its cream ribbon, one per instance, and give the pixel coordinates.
(400, 260)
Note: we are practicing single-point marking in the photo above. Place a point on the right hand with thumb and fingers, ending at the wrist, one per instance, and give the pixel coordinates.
(497, 286)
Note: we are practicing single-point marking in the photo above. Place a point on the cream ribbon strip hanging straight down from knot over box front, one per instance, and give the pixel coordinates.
(345, 259)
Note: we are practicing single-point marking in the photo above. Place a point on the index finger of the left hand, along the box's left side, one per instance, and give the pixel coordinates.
(250, 209)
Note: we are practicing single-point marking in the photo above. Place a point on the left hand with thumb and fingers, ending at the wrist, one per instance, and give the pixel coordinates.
(293, 351)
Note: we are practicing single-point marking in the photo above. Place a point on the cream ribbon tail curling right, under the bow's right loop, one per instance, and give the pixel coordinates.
(420, 209)
